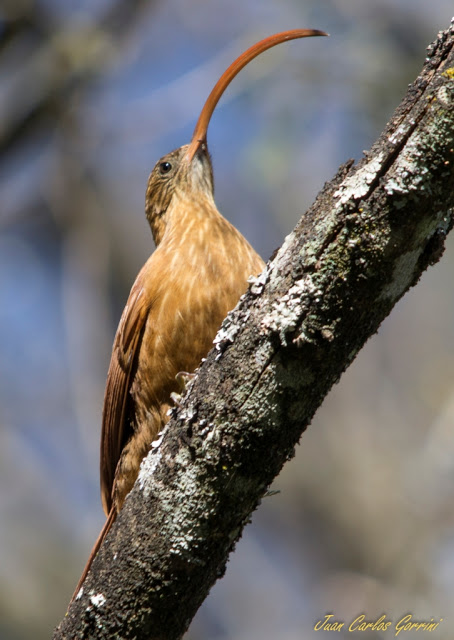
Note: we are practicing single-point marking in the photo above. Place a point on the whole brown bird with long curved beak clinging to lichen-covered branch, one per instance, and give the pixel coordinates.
(196, 275)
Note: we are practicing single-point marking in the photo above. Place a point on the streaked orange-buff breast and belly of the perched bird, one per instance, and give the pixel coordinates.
(191, 285)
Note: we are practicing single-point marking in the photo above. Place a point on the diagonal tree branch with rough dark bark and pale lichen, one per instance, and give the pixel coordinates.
(365, 241)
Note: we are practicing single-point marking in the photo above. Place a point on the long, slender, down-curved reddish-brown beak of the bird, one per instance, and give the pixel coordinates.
(199, 136)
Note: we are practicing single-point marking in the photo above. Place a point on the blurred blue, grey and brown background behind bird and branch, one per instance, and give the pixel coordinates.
(92, 93)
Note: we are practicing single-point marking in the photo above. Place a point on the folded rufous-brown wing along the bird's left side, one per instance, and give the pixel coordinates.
(124, 354)
